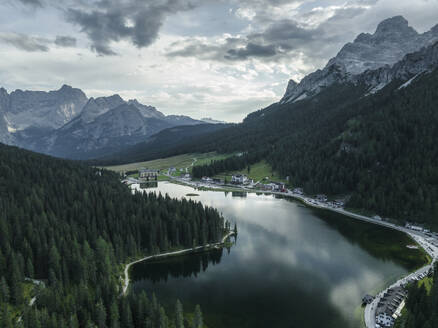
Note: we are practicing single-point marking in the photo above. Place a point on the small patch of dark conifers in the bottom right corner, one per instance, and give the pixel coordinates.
(421, 306)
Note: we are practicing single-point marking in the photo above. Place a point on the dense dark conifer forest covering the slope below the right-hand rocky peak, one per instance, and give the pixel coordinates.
(380, 148)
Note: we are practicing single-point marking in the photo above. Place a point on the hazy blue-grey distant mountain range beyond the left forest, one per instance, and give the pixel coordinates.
(65, 123)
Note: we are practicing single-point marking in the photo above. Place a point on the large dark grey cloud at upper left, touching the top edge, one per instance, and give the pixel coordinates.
(138, 21)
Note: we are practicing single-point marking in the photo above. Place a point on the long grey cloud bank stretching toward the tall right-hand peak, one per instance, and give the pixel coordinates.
(275, 39)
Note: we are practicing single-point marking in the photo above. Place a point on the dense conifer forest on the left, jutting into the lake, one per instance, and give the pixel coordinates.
(71, 226)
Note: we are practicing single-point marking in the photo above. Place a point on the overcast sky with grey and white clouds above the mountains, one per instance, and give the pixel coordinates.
(203, 58)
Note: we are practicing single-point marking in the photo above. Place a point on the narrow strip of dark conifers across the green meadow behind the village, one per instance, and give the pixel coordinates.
(233, 163)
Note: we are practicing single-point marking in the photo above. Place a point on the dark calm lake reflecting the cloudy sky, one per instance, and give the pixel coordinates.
(291, 266)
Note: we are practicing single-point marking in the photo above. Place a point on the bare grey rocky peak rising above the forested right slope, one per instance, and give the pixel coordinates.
(392, 40)
